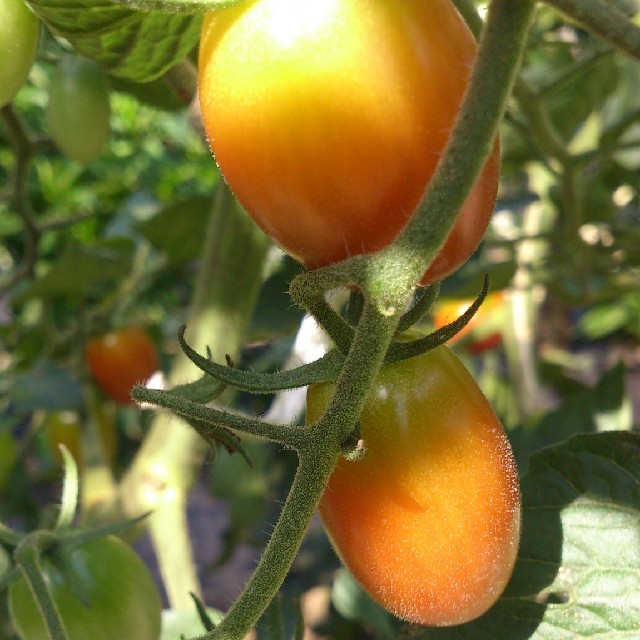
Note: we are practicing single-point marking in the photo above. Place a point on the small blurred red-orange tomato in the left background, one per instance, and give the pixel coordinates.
(120, 359)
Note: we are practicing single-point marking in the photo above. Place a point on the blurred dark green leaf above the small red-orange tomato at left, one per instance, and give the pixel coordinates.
(82, 269)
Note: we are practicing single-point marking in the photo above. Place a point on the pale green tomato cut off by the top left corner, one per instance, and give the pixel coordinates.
(19, 35)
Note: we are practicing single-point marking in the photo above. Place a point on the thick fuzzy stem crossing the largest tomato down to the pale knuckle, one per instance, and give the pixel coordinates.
(499, 55)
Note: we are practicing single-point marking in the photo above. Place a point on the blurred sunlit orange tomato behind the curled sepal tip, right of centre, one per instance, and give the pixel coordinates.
(484, 331)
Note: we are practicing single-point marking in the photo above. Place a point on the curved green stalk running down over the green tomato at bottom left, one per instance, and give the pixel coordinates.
(27, 557)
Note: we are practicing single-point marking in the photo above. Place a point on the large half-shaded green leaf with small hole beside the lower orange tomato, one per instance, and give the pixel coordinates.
(578, 569)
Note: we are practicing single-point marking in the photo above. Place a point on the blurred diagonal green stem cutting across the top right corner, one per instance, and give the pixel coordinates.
(604, 19)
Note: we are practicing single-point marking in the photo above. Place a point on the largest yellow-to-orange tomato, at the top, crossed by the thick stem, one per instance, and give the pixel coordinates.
(327, 119)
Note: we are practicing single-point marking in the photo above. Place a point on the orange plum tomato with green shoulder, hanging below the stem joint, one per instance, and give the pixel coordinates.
(429, 520)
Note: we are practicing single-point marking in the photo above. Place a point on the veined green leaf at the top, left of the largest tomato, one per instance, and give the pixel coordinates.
(130, 44)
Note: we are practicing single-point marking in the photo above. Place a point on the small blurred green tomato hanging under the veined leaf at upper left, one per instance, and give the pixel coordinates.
(78, 110)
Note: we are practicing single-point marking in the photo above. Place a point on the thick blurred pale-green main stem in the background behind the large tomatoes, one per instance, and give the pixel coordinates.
(166, 465)
